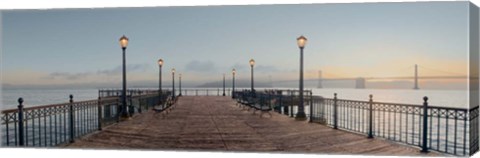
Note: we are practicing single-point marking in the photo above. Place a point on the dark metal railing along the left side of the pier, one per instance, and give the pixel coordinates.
(52, 125)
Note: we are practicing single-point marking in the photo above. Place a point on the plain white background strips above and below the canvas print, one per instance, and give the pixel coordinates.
(82, 153)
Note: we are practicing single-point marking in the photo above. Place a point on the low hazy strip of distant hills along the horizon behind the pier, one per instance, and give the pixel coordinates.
(459, 85)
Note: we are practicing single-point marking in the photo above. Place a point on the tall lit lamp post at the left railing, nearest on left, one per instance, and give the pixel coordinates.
(124, 43)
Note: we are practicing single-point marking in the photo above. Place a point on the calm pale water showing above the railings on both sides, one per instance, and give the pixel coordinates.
(447, 98)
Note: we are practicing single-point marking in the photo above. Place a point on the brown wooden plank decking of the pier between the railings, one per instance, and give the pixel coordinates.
(216, 123)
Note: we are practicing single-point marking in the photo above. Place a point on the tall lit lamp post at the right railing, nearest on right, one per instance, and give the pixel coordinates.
(301, 112)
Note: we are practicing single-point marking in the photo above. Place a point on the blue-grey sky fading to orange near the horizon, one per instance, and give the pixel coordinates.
(80, 46)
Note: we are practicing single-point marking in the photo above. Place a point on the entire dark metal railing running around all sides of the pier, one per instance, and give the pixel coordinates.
(443, 129)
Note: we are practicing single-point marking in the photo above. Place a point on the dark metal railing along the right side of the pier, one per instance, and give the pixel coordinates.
(443, 129)
